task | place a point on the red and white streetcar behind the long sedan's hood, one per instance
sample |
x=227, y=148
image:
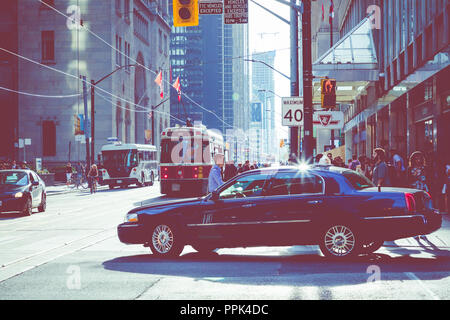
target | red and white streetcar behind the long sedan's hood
x=187, y=156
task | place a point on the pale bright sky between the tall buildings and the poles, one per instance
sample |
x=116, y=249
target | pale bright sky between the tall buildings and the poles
x=268, y=33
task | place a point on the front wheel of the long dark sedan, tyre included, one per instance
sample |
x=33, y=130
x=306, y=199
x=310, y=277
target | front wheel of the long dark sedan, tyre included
x=166, y=241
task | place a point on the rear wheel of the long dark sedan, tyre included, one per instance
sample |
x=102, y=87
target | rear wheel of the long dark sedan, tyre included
x=339, y=241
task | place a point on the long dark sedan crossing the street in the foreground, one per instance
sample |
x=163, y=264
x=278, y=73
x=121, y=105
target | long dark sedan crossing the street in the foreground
x=335, y=208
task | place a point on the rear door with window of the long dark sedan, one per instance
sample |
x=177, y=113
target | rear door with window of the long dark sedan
x=293, y=200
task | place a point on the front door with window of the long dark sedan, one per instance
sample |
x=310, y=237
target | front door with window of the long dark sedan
x=234, y=216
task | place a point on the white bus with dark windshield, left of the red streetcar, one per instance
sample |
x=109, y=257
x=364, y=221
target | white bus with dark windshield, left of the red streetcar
x=127, y=164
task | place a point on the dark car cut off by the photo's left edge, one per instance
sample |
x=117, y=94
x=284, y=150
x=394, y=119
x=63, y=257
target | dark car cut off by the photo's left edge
x=21, y=190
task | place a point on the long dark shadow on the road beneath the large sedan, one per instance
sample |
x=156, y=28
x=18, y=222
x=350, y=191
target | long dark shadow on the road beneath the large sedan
x=238, y=267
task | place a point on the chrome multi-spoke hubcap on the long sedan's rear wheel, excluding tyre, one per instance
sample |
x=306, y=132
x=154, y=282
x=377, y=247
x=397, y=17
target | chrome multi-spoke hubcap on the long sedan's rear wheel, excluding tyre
x=339, y=240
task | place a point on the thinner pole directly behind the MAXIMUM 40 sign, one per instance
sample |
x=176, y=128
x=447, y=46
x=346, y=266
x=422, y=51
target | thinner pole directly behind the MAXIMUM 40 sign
x=294, y=131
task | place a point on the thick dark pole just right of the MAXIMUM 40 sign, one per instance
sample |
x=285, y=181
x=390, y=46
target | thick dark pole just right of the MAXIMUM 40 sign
x=307, y=82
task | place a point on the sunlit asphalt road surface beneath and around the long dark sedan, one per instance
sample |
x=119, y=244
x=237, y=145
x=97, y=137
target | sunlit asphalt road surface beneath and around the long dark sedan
x=72, y=252
